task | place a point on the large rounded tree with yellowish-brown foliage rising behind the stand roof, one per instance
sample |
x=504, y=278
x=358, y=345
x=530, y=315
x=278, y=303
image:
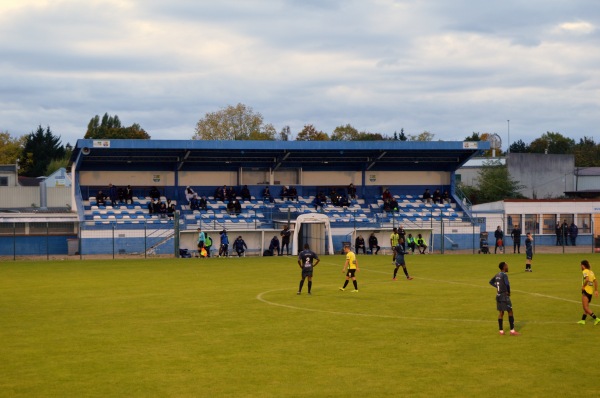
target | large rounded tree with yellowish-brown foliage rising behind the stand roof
x=238, y=122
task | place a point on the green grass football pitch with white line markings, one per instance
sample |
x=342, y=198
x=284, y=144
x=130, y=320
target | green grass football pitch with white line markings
x=235, y=327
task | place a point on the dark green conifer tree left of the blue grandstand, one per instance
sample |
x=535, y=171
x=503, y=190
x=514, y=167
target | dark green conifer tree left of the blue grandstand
x=41, y=147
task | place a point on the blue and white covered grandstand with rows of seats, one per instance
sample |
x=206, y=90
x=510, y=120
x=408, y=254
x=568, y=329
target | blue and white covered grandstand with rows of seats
x=405, y=168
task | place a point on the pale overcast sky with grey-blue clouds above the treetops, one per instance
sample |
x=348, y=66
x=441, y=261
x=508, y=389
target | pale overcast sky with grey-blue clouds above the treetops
x=450, y=67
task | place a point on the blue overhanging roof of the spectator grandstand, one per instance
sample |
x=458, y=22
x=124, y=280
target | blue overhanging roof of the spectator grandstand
x=196, y=155
